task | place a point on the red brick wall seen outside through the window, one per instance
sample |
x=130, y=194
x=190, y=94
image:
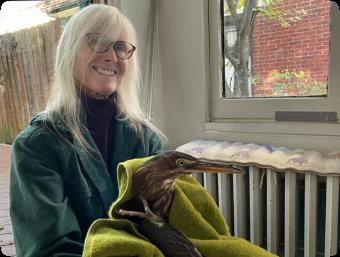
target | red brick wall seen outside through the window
x=304, y=46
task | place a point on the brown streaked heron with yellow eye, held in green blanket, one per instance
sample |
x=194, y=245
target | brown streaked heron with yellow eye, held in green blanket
x=153, y=185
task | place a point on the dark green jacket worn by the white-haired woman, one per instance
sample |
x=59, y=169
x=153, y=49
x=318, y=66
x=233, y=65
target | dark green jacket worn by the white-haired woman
x=58, y=190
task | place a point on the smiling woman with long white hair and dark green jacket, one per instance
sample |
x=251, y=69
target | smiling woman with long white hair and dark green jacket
x=63, y=174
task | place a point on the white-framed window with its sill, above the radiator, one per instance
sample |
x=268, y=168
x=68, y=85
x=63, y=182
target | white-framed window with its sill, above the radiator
x=270, y=67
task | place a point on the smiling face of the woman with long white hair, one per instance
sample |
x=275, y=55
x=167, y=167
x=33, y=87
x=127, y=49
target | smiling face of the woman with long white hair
x=99, y=74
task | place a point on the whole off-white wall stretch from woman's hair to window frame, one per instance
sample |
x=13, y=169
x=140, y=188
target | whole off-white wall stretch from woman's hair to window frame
x=179, y=72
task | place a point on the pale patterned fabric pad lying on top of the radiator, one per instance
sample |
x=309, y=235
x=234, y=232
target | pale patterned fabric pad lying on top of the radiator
x=265, y=156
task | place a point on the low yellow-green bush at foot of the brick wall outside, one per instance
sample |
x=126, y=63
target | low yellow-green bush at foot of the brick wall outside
x=296, y=83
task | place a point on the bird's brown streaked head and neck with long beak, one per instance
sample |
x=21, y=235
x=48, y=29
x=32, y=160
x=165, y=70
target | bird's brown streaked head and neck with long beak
x=153, y=181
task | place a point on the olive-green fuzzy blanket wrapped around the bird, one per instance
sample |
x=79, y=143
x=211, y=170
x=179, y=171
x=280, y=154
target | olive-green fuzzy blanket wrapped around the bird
x=193, y=212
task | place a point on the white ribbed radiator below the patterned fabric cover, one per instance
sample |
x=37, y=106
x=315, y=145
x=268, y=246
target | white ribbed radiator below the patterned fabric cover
x=287, y=213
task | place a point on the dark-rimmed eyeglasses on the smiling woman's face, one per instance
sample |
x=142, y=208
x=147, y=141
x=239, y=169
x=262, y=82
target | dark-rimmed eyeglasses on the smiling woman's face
x=101, y=44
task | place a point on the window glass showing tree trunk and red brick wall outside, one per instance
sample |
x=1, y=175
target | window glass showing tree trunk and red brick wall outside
x=276, y=48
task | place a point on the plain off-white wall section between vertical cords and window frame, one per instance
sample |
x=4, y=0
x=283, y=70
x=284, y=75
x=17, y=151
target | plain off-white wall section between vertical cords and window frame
x=184, y=59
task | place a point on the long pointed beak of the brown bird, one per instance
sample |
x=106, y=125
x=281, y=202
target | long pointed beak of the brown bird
x=201, y=166
